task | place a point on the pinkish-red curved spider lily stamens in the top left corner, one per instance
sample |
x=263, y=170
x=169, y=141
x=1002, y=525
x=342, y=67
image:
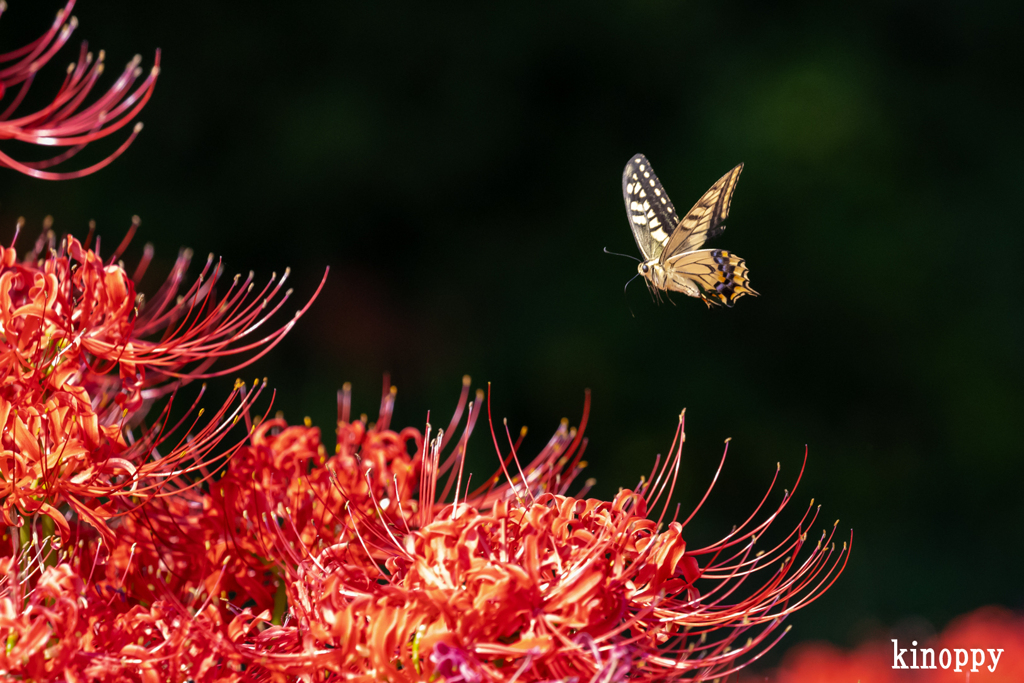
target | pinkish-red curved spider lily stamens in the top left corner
x=68, y=121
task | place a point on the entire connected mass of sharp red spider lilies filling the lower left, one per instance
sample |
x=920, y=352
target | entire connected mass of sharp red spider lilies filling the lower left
x=133, y=560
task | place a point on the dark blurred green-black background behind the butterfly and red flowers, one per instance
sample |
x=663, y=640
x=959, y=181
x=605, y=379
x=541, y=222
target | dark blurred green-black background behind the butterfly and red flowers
x=459, y=170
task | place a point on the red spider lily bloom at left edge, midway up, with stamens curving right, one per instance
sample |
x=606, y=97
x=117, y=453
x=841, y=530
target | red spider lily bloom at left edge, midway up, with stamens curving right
x=80, y=364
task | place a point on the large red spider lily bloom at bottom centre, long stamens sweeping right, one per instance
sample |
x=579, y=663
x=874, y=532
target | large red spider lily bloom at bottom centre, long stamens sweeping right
x=519, y=581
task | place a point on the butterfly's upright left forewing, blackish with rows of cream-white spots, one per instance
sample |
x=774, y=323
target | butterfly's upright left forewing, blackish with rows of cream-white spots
x=652, y=216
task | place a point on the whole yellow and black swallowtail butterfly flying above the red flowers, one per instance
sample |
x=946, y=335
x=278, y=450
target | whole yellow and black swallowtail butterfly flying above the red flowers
x=671, y=246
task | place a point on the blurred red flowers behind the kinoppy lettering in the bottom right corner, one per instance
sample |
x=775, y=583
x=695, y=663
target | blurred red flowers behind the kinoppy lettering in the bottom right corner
x=988, y=628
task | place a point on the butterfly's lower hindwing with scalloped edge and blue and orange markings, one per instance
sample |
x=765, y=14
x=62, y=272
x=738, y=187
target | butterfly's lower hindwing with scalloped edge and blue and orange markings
x=720, y=277
